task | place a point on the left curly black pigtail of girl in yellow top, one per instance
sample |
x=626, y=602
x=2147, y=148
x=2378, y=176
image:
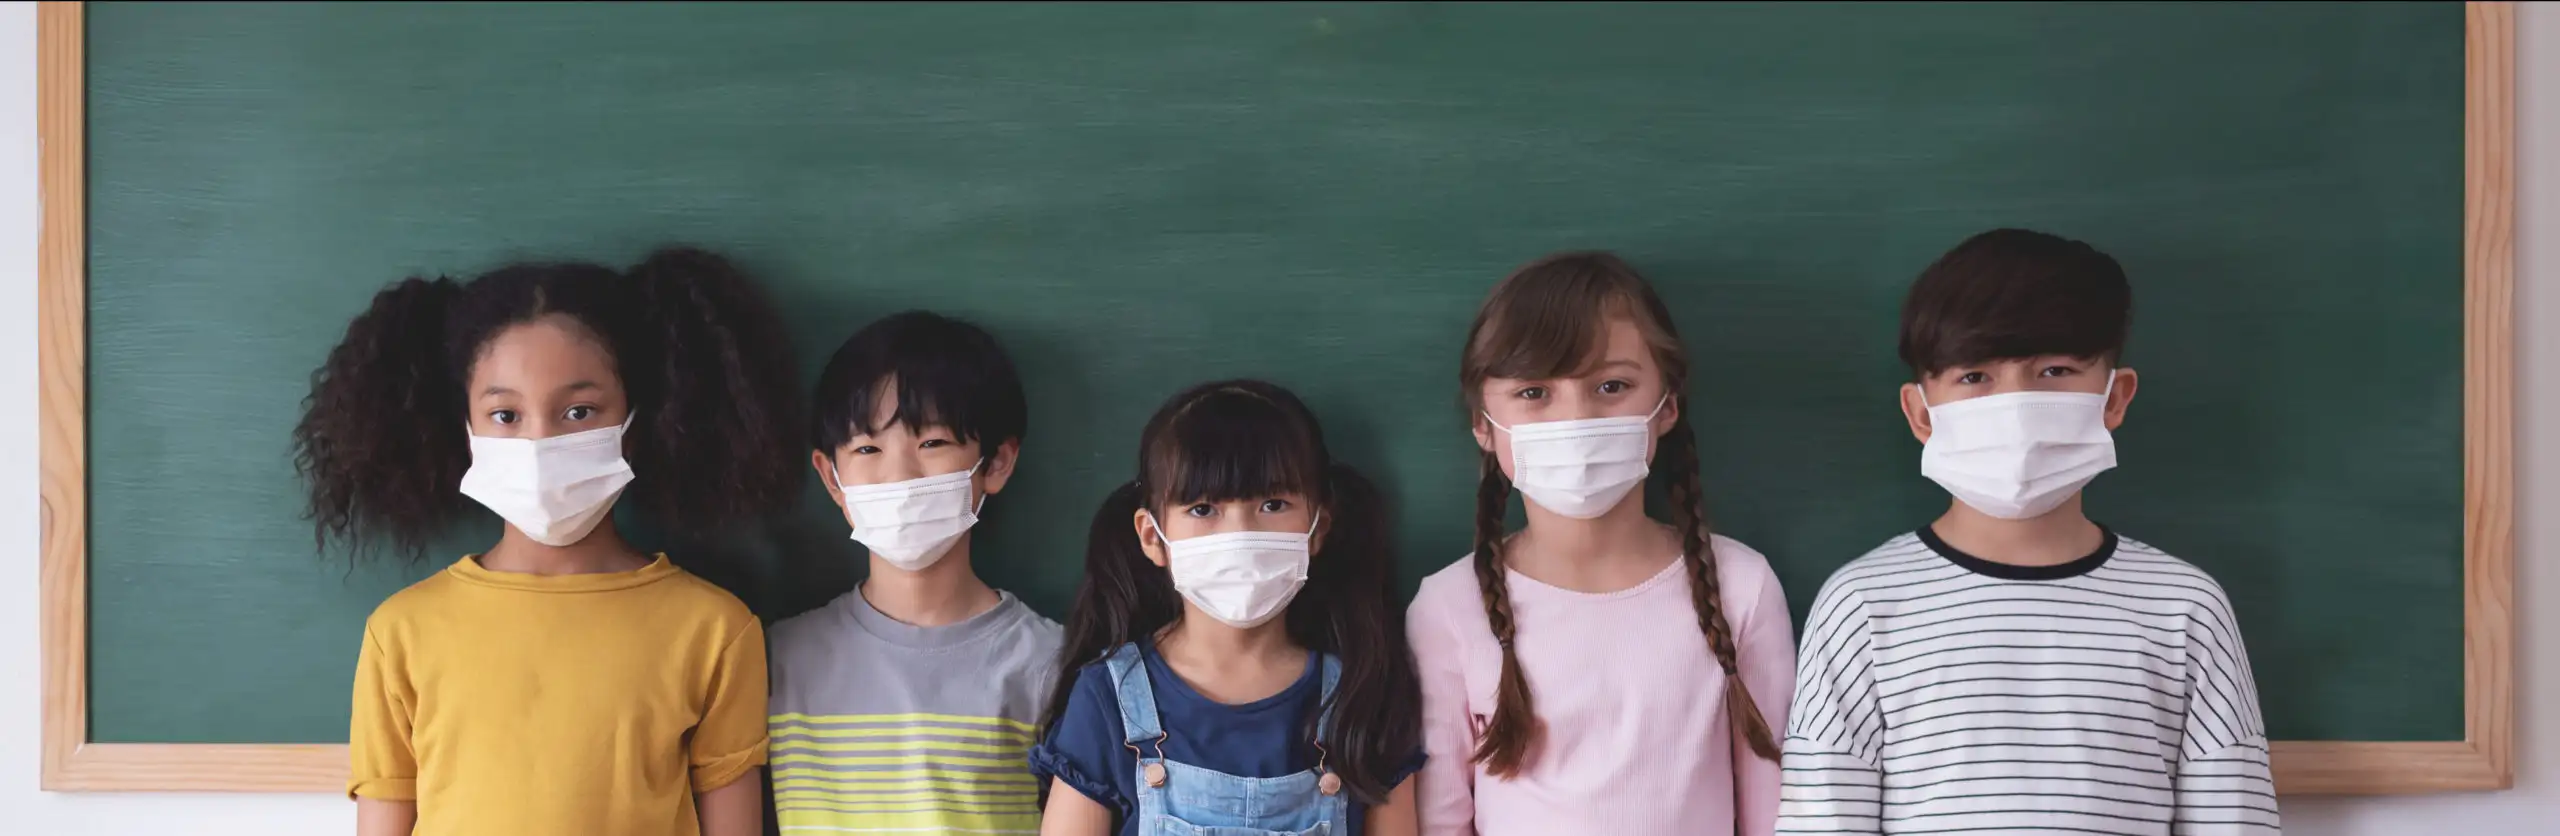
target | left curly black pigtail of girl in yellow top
x=383, y=444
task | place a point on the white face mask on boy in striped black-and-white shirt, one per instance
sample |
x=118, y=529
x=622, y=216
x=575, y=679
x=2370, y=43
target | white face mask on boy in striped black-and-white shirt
x=2019, y=454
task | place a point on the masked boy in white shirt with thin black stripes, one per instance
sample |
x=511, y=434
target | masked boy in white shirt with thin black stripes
x=2016, y=669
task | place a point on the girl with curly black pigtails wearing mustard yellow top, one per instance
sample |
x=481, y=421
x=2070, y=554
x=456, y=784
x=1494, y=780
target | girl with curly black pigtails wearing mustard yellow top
x=562, y=681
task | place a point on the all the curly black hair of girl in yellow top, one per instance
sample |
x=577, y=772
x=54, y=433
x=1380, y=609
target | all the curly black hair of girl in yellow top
x=383, y=444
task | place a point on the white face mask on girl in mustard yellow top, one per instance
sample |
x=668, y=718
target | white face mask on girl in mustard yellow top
x=554, y=490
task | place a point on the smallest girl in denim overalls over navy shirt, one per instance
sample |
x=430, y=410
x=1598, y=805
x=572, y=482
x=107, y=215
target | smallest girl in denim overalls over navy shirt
x=1215, y=694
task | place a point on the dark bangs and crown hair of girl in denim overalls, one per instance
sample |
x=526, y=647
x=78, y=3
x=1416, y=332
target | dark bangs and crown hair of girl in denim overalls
x=1233, y=446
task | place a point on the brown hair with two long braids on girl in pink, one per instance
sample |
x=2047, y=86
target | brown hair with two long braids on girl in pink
x=1550, y=321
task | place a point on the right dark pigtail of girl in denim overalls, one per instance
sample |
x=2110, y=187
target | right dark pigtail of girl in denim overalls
x=1348, y=612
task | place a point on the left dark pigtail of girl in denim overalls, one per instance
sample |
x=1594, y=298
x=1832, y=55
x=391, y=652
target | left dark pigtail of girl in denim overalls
x=1120, y=600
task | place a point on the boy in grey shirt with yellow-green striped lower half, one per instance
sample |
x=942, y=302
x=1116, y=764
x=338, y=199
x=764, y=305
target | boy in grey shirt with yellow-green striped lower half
x=908, y=704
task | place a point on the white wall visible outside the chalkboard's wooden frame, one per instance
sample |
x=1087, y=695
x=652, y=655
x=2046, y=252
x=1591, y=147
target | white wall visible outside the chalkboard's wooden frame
x=2533, y=807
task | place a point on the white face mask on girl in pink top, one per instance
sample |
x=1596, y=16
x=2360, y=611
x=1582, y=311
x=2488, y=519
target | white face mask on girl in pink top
x=1581, y=469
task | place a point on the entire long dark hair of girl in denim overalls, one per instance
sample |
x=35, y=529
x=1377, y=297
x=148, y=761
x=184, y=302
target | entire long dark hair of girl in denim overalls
x=1243, y=441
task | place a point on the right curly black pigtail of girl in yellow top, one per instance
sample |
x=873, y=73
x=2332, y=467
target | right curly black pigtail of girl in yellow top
x=721, y=395
